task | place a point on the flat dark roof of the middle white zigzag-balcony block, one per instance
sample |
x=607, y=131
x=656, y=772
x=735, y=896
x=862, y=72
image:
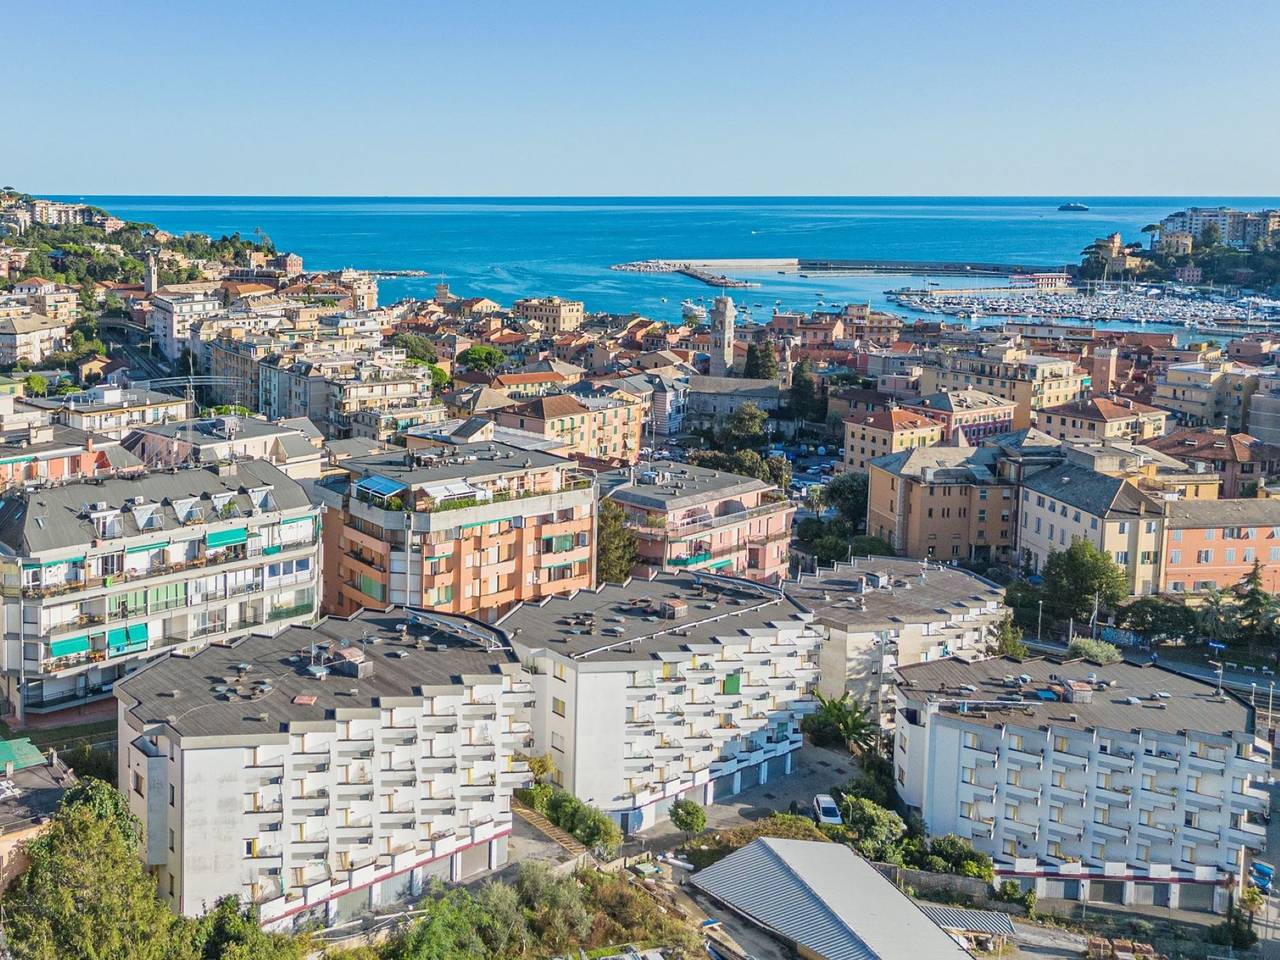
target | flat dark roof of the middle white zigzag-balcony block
x=628, y=623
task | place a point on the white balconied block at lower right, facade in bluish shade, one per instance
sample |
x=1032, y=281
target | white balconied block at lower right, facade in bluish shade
x=1117, y=784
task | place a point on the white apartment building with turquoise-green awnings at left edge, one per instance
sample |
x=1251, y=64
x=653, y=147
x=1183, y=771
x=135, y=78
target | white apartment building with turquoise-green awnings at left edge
x=109, y=574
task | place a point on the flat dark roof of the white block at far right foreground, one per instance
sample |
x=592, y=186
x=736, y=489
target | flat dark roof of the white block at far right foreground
x=1133, y=697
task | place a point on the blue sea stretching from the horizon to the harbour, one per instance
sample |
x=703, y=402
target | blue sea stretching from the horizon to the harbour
x=514, y=248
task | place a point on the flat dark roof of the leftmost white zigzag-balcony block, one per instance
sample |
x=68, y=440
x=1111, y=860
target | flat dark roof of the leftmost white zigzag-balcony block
x=225, y=691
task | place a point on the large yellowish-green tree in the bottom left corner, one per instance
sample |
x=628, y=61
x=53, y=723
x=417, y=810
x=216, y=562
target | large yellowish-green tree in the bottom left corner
x=86, y=895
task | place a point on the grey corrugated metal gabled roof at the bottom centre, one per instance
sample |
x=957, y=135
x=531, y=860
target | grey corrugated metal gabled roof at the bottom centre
x=828, y=899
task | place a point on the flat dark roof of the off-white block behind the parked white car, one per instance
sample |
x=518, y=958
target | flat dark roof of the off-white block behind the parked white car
x=908, y=592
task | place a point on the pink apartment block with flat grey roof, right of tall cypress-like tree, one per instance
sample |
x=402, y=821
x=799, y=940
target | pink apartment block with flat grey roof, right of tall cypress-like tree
x=691, y=518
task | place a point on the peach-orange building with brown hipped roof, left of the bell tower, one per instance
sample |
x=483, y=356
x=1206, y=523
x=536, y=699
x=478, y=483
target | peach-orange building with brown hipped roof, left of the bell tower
x=601, y=427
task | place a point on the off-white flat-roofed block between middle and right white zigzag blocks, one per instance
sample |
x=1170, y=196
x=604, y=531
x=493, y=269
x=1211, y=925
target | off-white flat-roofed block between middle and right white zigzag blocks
x=879, y=612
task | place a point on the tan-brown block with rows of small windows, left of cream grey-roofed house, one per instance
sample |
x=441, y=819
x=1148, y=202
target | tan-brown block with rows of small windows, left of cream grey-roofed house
x=943, y=504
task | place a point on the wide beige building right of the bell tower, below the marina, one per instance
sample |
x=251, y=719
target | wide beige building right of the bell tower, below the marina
x=1009, y=372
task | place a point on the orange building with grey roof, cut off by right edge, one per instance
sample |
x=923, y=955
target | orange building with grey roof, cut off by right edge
x=1213, y=545
